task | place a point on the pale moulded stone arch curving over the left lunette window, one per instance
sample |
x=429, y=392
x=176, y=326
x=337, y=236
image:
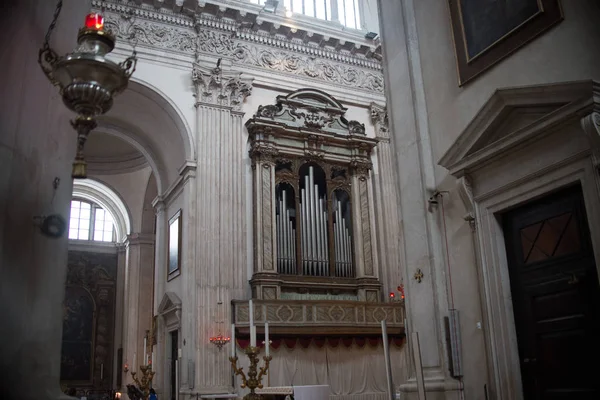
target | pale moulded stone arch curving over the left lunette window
x=94, y=191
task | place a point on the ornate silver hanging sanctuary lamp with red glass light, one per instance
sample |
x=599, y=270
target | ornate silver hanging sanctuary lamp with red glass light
x=87, y=80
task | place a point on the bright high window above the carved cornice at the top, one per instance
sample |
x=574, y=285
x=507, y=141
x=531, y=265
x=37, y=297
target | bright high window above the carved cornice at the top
x=345, y=11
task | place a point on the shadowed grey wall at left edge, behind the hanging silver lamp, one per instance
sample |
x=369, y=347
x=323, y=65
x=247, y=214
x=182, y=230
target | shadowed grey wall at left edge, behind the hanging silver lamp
x=37, y=145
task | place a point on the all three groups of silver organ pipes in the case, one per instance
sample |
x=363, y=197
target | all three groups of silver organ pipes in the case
x=313, y=218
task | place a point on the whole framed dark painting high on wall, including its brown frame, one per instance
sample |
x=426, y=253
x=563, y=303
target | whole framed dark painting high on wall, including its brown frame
x=486, y=31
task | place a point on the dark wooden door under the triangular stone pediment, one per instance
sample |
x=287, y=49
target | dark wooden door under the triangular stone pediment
x=556, y=297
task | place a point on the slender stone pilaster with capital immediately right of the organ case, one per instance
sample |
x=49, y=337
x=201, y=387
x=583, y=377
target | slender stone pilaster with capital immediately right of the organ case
x=386, y=205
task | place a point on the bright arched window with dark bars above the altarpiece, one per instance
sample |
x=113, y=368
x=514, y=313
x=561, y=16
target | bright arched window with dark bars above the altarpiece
x=89, y=221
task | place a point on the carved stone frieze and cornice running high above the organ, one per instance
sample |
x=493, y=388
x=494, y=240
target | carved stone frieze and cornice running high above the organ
x=272, y=51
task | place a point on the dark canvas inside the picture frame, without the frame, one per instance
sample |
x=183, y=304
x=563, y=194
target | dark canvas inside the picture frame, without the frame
x=487, y=21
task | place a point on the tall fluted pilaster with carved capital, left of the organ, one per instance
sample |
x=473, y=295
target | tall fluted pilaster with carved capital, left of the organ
x=221, y=229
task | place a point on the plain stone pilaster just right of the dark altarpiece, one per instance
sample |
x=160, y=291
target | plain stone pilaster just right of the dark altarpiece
x=138, y=310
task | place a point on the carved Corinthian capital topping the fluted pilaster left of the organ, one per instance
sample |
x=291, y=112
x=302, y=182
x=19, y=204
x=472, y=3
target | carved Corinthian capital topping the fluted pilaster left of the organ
x=218, y=87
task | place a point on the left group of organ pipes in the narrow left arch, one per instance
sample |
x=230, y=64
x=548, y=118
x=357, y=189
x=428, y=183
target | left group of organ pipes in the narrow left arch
x=286, y=236
